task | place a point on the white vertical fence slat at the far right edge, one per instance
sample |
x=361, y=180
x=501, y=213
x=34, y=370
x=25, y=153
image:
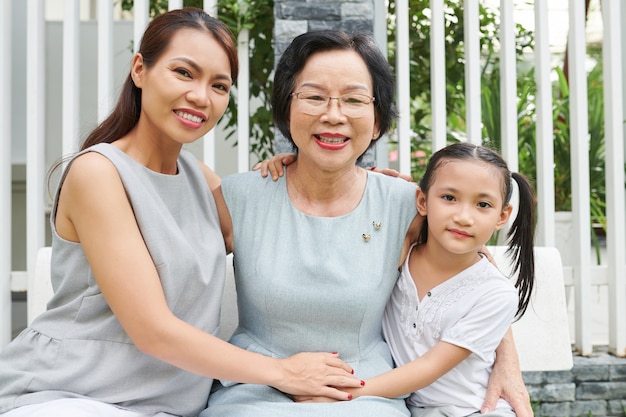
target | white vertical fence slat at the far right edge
x=614, y=132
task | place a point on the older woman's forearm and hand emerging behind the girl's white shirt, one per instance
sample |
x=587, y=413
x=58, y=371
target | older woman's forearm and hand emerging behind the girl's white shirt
x=506, y=380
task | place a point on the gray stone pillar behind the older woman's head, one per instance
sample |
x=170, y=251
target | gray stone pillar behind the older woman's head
x=294, y=17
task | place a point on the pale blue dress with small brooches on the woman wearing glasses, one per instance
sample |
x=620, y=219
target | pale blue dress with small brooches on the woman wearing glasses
x=307, y=283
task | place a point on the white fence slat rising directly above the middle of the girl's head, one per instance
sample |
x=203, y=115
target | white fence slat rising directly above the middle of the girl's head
x=472, y=71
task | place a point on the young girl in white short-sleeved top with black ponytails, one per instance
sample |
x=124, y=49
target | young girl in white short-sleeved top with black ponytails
x=451, y=306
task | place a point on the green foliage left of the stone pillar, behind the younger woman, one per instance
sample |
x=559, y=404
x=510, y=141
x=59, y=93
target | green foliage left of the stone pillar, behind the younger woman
x=253, y=16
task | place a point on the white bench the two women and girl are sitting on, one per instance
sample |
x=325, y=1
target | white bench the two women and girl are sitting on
x=541, y=336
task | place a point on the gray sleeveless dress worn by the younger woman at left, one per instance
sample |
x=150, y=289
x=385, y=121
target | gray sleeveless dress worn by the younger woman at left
x=77, y=348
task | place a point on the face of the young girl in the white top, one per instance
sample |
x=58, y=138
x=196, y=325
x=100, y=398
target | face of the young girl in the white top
x=464, y=206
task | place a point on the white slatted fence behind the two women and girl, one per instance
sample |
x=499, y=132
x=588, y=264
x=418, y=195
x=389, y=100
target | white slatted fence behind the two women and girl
x=581, y=275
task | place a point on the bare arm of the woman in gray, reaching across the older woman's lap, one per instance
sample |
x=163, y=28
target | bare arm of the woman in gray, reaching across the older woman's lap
x=94, y=210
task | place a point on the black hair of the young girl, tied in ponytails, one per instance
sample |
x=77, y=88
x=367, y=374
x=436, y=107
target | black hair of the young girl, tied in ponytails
x=521, y=235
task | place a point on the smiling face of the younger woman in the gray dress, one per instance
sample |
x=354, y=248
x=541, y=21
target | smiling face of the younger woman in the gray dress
x=186, y=91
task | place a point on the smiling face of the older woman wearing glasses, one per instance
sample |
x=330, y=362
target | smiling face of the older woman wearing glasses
x=331, y=139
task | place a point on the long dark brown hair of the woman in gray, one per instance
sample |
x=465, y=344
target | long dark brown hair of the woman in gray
x=154, y=42
